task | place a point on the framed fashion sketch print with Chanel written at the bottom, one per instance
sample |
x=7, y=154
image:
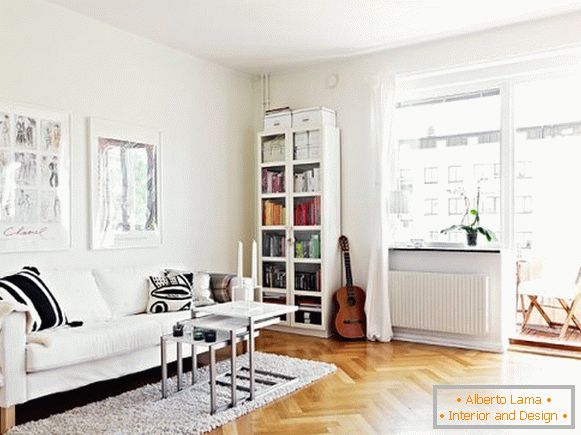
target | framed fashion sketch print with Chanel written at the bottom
x=34, y=179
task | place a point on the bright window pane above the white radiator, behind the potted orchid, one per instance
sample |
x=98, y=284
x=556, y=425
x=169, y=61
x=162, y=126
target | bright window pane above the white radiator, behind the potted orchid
x=446, y=136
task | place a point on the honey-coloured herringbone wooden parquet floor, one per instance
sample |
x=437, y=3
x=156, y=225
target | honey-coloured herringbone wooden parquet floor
x=386, y=388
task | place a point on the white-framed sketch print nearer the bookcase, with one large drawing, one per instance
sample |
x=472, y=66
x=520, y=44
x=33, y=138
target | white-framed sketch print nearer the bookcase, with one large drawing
x=125, y=185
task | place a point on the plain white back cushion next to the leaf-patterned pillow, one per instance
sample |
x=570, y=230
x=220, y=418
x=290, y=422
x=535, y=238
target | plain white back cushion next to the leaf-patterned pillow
x=126, y=289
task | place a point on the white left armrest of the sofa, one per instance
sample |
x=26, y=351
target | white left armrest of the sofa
x=13, y=359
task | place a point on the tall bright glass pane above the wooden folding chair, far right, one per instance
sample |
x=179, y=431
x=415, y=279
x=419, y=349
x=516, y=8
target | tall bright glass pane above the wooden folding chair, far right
x=547, y=149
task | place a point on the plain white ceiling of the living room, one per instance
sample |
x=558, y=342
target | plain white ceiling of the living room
x=268, y=35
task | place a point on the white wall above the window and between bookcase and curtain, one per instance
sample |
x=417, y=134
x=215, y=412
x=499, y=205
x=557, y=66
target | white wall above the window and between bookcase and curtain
x=351, y=99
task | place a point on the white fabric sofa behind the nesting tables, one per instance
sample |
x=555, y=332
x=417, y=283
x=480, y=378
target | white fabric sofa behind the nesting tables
x=116, y=339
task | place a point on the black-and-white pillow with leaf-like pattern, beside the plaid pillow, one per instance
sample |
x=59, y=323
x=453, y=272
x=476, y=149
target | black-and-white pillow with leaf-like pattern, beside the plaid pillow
x=169, y=294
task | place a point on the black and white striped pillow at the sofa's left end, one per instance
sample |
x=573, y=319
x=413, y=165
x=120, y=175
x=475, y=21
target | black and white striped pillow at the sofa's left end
x=26, y=287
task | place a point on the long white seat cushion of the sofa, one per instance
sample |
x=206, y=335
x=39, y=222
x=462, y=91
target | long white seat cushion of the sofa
x=68, y=346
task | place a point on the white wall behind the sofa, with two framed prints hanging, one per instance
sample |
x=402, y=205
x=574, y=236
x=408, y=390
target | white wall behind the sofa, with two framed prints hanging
x=57, y=59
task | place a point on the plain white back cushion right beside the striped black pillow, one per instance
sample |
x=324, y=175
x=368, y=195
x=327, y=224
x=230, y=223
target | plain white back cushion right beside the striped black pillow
x=77, y=293
